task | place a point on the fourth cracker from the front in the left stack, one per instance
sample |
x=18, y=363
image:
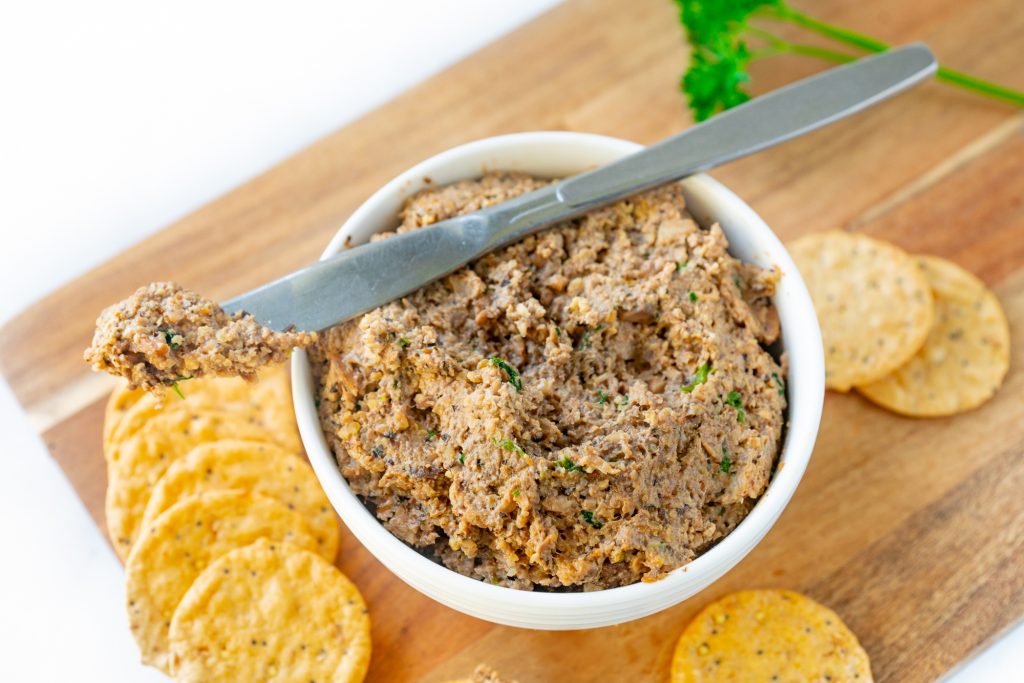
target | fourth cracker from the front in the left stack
x=136, y=465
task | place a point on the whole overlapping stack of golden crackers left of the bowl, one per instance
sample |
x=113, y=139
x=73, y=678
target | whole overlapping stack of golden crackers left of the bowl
x=228, y=538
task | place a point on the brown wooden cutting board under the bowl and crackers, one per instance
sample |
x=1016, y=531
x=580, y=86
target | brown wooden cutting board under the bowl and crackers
x=913, y=530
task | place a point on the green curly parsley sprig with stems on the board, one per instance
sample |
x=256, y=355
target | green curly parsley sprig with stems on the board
x=720, y=32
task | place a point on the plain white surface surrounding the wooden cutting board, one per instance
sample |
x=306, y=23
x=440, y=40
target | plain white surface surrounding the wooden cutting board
x=118, y=118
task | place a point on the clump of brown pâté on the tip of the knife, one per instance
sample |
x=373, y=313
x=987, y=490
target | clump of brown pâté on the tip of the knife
x=163, y=334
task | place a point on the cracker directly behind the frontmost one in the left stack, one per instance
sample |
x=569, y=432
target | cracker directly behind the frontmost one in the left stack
x=181, y=543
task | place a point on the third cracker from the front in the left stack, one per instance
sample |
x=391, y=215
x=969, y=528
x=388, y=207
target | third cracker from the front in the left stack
x=261, y=468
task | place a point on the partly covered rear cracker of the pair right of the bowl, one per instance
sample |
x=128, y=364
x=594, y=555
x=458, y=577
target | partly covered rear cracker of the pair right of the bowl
x=965, y=358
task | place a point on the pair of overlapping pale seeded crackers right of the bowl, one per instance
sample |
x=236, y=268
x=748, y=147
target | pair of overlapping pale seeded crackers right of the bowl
x=918, y=335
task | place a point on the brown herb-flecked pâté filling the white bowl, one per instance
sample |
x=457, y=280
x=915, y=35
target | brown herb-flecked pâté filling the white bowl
x=589, y=408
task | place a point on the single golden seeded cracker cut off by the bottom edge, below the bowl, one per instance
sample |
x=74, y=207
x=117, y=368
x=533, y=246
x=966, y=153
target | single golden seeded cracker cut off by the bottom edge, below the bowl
x=755, y=635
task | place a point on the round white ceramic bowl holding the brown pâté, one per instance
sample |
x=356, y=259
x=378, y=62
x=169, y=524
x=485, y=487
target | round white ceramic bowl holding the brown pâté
x=560, y=154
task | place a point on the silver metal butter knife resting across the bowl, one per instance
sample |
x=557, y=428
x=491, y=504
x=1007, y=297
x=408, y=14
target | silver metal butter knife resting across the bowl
x=359, y=280
